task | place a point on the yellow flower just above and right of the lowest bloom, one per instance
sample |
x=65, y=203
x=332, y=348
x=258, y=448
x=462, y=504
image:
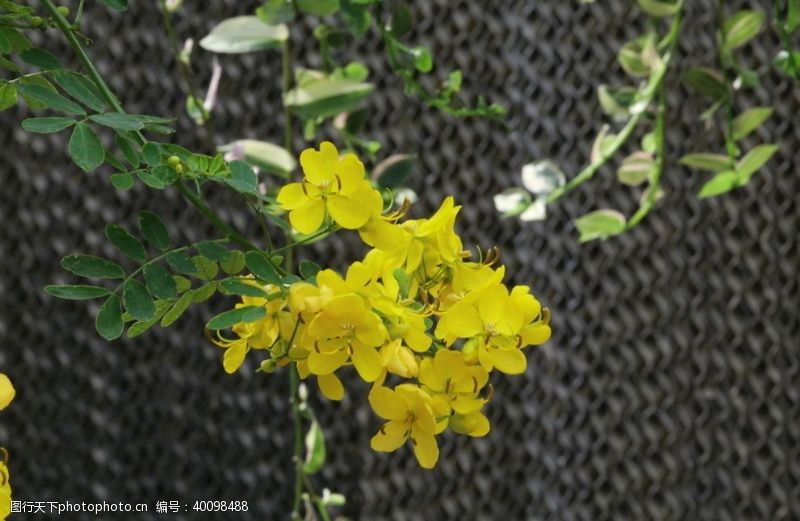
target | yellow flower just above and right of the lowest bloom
x=448, y=375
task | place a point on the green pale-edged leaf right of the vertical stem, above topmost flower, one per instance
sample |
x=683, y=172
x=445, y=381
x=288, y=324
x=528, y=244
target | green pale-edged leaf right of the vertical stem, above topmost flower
x=326, y=98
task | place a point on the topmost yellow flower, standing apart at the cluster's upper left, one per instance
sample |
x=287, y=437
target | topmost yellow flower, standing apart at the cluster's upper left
x=332, y=185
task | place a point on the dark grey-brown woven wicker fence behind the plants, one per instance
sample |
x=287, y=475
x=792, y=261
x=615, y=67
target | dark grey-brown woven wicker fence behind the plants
x=671, y=387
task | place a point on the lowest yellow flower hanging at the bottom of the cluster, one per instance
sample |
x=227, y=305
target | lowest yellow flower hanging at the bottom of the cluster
x=411, y=414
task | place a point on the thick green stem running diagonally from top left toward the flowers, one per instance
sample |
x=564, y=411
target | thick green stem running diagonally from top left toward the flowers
x=65, y=27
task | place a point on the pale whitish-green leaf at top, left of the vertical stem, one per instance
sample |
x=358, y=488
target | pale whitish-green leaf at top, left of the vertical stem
x=244, y=34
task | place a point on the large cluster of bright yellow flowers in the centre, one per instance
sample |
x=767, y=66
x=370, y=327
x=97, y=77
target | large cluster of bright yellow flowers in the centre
x=416, y=317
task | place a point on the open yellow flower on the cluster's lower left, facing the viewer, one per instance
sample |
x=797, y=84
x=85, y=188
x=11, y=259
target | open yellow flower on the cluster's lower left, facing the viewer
x=345, y=329
